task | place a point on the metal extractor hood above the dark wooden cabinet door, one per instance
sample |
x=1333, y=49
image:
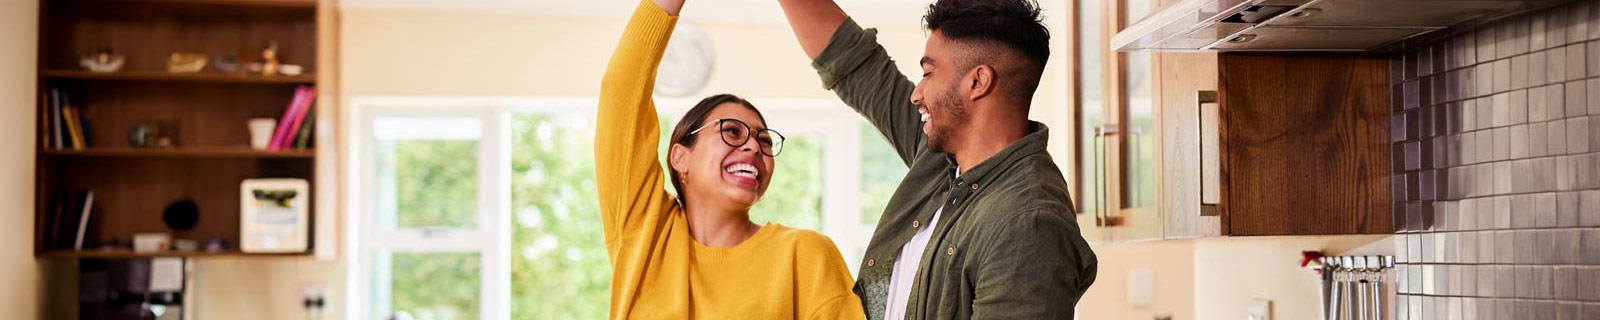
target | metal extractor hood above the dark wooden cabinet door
x=1306, y=25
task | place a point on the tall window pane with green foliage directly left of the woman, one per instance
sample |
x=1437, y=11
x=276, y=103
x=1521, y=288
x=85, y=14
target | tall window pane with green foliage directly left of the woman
x=559, y=260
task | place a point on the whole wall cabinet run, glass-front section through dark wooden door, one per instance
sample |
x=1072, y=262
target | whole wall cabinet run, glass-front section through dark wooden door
x=1207, y=145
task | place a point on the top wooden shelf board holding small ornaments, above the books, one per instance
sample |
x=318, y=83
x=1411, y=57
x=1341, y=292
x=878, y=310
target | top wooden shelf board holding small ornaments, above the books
x=143, y=76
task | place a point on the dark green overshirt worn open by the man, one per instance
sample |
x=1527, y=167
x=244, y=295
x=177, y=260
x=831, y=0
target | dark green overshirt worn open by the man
x=1007, y=244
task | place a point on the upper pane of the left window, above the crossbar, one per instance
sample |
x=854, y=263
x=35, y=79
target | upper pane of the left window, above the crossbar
x=428, y=172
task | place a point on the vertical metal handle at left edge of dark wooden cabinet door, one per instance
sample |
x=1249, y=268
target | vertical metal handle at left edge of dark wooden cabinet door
x=1209, y=118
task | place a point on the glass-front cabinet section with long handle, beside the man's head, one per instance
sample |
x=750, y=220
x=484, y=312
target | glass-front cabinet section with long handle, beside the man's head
x=1119, y=145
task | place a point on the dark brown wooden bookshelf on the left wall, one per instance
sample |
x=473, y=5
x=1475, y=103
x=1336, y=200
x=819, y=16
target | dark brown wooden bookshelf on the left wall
x=204, y=114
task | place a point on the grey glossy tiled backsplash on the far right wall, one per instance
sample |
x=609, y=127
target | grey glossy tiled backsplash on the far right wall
x=1497, y=142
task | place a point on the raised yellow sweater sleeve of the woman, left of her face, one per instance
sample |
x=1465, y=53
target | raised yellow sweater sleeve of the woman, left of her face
x=630, y=180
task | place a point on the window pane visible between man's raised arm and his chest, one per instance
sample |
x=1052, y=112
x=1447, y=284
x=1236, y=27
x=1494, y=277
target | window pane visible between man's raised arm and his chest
x=882, y=170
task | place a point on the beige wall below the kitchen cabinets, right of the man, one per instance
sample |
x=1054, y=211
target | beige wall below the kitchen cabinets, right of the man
x=1217, y=279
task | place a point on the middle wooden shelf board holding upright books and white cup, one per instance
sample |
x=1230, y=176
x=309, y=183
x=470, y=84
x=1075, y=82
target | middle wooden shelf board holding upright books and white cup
x=183, y=153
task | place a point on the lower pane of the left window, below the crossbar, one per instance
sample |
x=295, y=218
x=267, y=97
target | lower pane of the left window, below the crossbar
x=436, y=286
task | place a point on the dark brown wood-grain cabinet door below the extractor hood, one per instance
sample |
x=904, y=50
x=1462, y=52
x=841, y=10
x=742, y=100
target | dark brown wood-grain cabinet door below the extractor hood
x=1305, y=145
